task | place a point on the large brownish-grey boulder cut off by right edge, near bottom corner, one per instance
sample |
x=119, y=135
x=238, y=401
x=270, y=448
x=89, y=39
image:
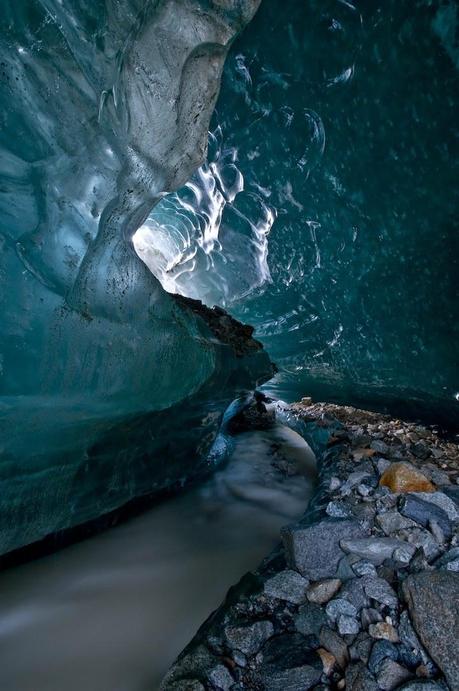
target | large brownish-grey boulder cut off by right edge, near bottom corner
x=433, y=602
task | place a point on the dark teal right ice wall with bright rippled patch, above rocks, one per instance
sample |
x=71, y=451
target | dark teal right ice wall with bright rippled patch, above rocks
x=338, y=120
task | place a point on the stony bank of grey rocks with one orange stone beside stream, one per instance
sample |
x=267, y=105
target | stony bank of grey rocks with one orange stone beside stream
x=363, y=592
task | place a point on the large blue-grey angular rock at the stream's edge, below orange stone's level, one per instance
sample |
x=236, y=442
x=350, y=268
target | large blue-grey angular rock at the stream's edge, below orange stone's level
x=315, y=550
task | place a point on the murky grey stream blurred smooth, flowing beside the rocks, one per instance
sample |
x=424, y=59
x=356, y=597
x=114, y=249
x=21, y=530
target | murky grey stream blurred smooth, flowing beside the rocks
x=112, y=613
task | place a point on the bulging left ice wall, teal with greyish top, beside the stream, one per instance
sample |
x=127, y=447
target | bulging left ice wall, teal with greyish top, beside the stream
x=109, y=388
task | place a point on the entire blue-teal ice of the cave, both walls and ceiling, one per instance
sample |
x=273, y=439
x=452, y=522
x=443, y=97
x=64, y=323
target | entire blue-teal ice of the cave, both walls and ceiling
x=324, y=212
